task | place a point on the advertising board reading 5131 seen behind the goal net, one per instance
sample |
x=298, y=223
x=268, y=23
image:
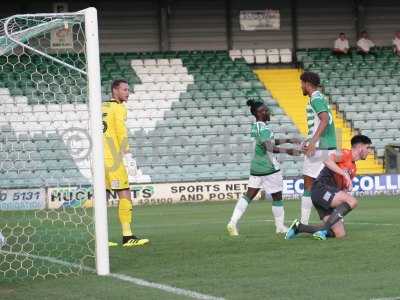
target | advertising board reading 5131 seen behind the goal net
x=22, y=199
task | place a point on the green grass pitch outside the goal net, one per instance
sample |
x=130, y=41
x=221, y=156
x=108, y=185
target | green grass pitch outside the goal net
x=190, y=249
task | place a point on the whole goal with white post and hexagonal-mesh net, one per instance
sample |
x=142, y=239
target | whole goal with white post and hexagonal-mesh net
x=51, y=141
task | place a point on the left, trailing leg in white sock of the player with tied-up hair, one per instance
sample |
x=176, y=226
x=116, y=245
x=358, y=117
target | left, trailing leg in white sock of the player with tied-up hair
x=242, y=204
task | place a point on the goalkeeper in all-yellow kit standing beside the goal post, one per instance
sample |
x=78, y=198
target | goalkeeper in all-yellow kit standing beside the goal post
x=118, y=160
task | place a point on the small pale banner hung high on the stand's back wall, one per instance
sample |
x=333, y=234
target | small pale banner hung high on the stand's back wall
x=251, y=20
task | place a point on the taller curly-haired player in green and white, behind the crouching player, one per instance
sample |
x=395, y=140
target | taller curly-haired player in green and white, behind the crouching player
x=321, y=140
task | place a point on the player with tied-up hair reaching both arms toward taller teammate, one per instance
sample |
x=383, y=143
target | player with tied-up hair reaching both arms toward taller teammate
x=264, y=169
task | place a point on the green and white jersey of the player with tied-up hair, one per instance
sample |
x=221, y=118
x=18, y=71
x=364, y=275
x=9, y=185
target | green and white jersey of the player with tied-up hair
x=263, y=162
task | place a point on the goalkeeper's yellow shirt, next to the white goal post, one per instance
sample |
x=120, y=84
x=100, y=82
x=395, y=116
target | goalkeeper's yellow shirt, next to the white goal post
x=115, y=133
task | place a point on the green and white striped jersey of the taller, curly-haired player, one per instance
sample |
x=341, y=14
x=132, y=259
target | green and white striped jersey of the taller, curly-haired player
x=316, y=105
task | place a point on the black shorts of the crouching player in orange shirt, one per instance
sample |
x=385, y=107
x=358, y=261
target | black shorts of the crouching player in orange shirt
x=322, y=196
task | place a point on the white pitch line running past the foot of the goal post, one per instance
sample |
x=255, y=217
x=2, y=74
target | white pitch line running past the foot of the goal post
x=123, y=277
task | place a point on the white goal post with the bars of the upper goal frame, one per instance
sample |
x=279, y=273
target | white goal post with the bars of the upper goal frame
x=13, y=36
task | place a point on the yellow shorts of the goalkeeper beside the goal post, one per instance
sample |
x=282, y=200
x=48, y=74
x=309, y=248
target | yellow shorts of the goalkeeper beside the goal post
x=116, y=175
